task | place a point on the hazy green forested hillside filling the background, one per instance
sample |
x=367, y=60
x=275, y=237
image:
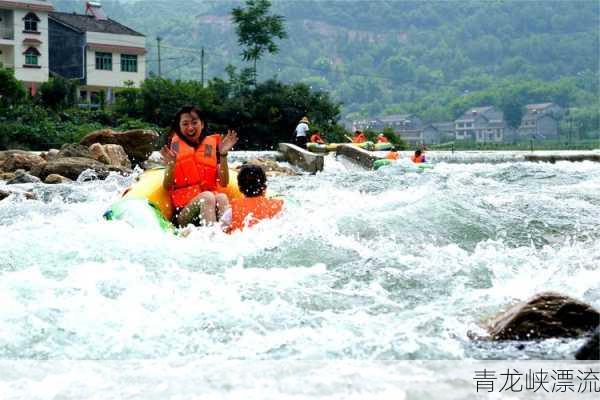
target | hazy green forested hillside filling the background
x=388, y=56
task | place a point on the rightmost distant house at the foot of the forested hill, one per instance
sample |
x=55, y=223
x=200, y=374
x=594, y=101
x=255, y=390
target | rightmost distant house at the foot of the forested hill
x=541, y=121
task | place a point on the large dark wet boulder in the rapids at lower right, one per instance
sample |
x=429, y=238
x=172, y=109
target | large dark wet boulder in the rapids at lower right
x=544, y=316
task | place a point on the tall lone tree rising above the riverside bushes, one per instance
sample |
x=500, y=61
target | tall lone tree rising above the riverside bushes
x=256, y=30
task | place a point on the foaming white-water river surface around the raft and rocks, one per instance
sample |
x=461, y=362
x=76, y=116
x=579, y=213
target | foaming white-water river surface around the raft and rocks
x=362, y=266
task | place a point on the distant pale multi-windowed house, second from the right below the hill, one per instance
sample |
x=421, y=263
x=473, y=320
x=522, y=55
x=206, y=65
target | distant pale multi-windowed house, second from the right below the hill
x=481, y=124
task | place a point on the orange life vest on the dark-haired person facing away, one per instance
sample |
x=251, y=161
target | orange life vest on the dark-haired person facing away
x=251, y=210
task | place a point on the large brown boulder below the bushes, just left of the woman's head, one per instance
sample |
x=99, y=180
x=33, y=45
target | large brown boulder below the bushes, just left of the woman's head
x=137, y=143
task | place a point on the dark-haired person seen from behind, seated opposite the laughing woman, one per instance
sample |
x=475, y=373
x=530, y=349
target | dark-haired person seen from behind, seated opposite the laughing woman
x=252, y=182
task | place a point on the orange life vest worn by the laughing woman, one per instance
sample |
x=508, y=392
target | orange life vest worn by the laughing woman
x=195, y=171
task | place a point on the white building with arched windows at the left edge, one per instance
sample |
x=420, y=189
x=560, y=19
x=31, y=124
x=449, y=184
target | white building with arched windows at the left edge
x=24, y=40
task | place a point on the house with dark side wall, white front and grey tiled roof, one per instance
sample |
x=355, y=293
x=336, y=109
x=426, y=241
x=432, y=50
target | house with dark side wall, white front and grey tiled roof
x=98, y=51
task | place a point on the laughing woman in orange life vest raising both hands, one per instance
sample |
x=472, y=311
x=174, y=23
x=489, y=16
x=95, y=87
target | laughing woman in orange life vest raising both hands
x=196, y=162
